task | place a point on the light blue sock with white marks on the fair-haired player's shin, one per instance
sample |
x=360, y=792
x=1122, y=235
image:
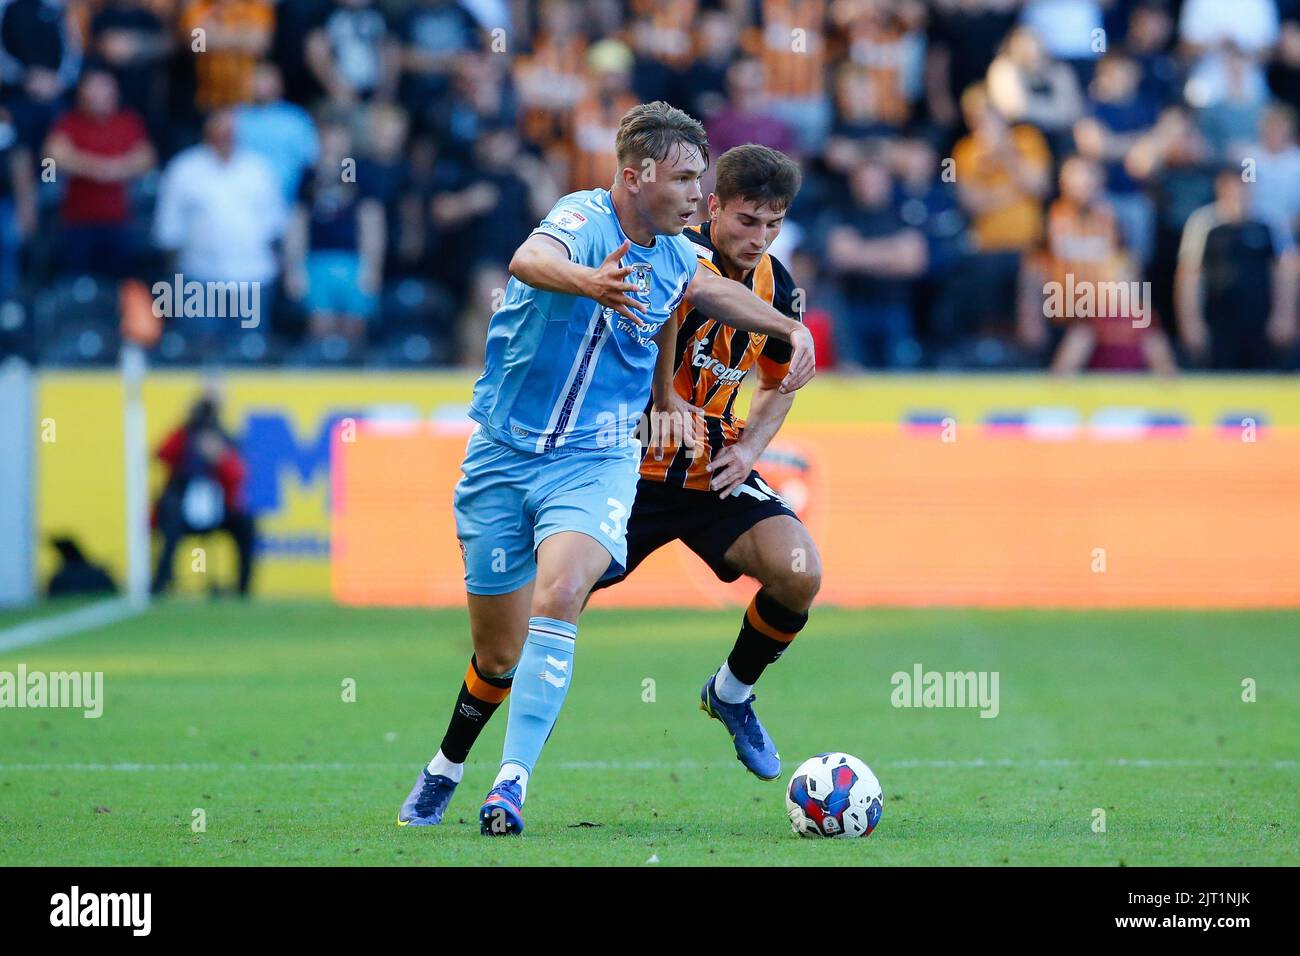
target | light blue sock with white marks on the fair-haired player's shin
x=541, y=684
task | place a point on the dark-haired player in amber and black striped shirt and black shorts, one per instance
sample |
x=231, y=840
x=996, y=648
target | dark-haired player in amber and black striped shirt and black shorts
x=705, y=492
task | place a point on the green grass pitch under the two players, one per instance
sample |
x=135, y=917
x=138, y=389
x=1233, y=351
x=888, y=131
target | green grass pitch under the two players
x=239, y=711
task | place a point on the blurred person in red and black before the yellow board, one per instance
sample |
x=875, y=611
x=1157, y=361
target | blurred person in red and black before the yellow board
x=203, y=492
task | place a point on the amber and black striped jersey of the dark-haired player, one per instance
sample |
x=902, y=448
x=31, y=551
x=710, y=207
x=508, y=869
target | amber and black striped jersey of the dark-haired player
x=713, y=360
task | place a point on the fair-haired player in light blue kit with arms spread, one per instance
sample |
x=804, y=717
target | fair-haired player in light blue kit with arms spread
x=548, y=485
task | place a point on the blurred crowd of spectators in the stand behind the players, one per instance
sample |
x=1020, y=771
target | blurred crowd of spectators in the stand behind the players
x=366, y=170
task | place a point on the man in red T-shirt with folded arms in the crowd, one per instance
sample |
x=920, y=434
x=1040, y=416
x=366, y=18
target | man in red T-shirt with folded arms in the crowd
x=98, y=149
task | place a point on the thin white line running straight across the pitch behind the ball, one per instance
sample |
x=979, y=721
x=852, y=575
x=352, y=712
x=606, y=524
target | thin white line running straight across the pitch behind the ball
x=665, y=765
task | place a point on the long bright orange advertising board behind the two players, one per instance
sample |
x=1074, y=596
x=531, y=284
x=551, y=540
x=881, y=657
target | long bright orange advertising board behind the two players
x=1198, y=518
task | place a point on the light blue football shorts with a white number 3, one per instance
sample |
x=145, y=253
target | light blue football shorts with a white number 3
x=509, y=501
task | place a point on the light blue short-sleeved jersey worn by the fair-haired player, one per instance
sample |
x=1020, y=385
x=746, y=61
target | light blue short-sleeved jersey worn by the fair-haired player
x=562, y=371
